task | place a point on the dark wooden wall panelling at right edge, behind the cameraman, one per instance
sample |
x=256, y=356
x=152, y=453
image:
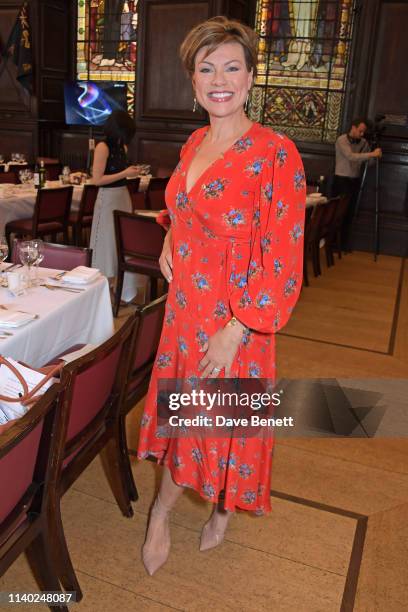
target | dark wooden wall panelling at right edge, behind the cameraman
x=380, y=83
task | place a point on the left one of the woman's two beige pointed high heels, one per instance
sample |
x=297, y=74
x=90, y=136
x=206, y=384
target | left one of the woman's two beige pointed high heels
x=155, y=556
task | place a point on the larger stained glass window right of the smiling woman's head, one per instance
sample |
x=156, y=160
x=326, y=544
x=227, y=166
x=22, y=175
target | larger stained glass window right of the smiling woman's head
x=303, y=56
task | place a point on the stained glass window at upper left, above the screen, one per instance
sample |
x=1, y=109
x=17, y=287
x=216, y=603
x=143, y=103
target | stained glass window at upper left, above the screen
x=107, y=42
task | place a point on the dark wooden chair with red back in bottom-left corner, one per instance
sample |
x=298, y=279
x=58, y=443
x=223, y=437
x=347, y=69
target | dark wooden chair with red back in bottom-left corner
x=28, y=464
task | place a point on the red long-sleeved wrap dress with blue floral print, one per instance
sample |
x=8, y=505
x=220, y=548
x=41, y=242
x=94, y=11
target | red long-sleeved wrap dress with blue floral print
x=237, y=250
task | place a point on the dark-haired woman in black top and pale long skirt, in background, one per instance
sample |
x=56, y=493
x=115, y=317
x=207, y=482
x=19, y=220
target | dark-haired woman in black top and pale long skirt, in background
x=110, y=171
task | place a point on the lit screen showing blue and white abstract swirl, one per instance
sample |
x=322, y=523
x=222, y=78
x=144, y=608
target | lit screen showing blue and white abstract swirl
x=90, y=103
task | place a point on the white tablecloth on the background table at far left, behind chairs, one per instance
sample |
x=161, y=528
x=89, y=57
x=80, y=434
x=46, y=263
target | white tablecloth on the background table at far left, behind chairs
x=17, y=201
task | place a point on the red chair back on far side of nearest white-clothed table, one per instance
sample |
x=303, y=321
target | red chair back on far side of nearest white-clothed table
x=59, y=256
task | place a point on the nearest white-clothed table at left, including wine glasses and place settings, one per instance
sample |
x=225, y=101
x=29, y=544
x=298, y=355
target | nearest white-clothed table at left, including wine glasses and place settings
x=46, y=311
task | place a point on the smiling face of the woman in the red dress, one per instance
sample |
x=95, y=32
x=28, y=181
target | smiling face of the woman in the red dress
x=221, y=80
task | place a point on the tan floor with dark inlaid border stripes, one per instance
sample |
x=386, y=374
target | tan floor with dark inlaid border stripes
x=305, y=555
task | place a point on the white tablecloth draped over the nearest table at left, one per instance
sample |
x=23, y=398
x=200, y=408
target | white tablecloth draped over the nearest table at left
x=64, y=319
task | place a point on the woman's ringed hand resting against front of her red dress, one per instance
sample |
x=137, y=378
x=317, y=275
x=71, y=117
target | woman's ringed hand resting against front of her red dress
x=220, y=350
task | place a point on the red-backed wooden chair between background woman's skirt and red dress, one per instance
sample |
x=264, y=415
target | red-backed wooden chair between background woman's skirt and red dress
x=139, y=243
